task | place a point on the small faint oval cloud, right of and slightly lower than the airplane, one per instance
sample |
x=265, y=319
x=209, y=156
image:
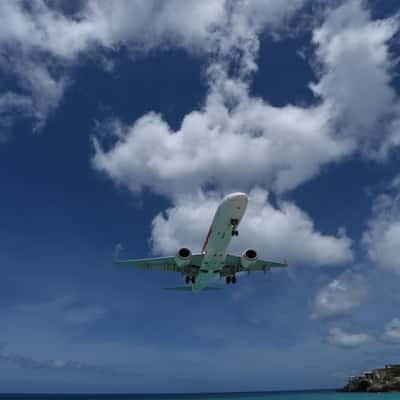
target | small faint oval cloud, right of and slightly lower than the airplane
x=340, y=297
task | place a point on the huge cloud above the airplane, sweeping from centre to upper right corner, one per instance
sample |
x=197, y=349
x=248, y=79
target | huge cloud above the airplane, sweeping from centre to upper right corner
x=275, y=142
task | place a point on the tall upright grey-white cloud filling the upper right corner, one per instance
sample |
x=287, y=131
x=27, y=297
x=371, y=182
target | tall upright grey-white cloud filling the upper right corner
x=357, y=69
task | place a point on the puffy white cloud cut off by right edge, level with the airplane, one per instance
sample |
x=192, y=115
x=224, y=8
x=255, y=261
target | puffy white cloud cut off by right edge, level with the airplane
x=382, y=237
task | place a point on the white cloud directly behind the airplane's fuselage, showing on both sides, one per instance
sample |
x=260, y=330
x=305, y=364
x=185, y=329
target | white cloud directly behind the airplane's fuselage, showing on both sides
x=283, y=232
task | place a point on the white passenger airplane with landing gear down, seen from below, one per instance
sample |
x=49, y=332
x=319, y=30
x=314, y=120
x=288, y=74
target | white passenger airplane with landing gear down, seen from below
x=213, y=260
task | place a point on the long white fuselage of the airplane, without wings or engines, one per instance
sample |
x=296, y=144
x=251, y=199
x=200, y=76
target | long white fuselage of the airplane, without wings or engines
x=223, y=227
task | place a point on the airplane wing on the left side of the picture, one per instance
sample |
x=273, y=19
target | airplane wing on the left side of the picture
x=165, y=264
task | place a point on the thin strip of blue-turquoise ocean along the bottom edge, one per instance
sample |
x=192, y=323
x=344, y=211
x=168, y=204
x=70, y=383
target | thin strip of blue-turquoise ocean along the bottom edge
x=301, y=395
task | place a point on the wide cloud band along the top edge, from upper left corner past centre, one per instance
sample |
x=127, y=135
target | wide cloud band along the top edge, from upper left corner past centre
x=43, y=40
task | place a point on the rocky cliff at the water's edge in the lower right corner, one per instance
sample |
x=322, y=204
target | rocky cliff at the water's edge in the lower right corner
x=385, y=379
